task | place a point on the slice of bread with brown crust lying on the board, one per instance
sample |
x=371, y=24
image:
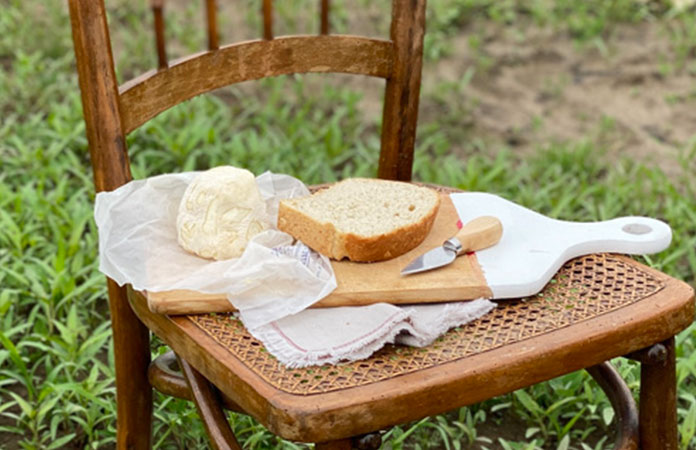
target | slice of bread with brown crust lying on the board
x=361, y=219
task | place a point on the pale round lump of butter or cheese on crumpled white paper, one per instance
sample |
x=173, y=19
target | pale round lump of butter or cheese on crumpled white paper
x=221, y=210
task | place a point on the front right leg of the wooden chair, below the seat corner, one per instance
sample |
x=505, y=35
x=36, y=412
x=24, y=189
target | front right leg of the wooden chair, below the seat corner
x=658, y=401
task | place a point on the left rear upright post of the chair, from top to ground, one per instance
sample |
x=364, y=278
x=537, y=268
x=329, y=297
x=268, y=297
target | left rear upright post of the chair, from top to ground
x=107, y=147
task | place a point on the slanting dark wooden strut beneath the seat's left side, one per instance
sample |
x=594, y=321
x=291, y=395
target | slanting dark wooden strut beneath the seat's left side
x=207, y=400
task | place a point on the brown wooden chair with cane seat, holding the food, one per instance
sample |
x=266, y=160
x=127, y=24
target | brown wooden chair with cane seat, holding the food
x=597, y=307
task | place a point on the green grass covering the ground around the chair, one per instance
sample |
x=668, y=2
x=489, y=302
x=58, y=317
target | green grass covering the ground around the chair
x=55, y=352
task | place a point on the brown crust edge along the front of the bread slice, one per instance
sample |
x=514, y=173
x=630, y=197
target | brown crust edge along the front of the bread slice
x=325, y=239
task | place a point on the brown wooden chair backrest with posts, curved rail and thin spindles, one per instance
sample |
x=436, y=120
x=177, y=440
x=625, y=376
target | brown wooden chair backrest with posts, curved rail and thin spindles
x=111, y=112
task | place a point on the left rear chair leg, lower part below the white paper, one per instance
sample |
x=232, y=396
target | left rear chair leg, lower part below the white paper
x=132, y=358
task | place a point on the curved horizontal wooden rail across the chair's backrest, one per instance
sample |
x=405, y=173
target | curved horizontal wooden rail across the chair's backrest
x=156, y=91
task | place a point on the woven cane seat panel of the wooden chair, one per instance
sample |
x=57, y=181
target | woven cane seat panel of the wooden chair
x=584, y=288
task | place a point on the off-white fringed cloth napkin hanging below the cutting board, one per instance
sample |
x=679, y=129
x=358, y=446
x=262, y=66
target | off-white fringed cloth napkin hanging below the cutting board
x=334, y=335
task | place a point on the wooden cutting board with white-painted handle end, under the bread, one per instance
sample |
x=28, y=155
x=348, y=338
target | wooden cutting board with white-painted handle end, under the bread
x=533, y=247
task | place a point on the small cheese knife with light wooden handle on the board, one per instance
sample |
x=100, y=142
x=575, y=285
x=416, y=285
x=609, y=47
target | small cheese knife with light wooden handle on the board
x=477, y=234
